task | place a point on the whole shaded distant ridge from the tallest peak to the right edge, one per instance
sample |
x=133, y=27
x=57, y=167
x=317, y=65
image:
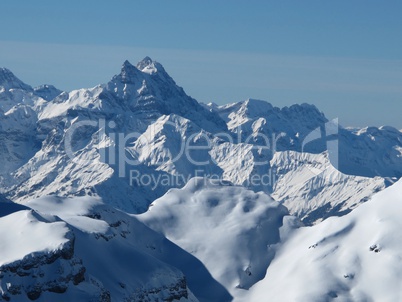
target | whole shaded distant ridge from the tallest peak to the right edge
x=369, y=151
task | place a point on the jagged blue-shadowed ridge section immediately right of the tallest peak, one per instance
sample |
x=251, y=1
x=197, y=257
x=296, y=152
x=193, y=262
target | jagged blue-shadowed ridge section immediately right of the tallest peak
x=255, y=120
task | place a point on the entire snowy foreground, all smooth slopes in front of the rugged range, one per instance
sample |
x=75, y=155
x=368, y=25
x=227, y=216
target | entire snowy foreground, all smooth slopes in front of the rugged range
x=83, y=250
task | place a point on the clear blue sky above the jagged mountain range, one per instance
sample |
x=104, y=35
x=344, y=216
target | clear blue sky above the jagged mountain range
x=343, y=56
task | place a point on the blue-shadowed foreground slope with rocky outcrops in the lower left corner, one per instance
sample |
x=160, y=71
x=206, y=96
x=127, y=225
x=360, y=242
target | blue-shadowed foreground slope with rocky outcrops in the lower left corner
x=80, y=249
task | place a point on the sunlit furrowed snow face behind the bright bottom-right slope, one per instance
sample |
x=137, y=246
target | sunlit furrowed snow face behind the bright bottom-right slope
x=313, y=190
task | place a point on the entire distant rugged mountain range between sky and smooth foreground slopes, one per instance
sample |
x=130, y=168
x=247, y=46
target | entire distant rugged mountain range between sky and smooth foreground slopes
x=144, y=102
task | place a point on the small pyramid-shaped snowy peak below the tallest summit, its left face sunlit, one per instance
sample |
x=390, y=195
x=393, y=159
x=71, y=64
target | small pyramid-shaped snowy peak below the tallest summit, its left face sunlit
x=165, y=146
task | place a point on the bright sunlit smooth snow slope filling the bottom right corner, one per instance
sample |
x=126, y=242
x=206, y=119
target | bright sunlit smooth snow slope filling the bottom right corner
x=357, y=257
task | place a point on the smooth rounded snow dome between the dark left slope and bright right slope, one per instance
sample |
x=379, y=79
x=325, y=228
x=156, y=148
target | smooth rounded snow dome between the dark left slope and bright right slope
x=233, y=231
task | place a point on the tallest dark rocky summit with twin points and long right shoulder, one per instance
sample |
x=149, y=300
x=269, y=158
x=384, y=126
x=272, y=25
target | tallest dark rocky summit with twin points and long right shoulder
x=148, y=91
